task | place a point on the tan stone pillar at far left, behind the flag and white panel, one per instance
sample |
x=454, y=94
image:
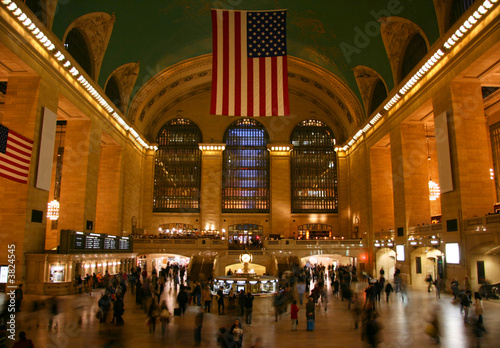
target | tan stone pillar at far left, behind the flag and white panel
x=21, y=202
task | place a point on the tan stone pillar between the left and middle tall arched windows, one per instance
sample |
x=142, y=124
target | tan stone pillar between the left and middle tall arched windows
x=211, y=186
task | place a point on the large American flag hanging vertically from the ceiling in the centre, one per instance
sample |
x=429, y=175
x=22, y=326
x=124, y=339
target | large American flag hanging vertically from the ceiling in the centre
x=249, y=75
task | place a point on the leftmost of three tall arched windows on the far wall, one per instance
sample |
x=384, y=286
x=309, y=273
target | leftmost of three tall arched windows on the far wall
x=178, y=168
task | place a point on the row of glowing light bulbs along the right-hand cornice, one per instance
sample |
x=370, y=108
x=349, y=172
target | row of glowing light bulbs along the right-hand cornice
x=467, y=25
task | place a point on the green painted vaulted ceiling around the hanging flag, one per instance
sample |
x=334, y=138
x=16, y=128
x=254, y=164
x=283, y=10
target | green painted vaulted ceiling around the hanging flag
x=159, y=34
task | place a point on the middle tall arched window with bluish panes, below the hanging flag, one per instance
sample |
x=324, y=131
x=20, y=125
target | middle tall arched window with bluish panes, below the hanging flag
x=245, y=180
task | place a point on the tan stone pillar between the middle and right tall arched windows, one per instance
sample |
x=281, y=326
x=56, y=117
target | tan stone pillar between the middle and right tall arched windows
x=280, y=184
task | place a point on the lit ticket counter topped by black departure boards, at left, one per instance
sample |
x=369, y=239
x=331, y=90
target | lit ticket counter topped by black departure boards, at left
x=79, y=253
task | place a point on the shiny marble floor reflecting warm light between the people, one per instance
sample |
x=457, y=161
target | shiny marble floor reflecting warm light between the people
x=403, y=323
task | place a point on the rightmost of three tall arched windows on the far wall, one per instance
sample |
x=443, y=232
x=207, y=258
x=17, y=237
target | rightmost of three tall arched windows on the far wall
x=313, y=168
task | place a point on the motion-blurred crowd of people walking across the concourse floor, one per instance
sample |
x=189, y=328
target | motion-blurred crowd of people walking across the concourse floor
x=305, y=292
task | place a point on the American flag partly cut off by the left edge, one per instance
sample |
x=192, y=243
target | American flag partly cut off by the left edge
x=15, y=155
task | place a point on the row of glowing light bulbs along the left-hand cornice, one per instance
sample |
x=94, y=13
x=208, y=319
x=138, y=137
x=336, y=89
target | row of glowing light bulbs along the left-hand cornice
x=28, y=23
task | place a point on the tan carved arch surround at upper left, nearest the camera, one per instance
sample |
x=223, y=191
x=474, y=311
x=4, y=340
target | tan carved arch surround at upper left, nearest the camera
x=96, y=28
